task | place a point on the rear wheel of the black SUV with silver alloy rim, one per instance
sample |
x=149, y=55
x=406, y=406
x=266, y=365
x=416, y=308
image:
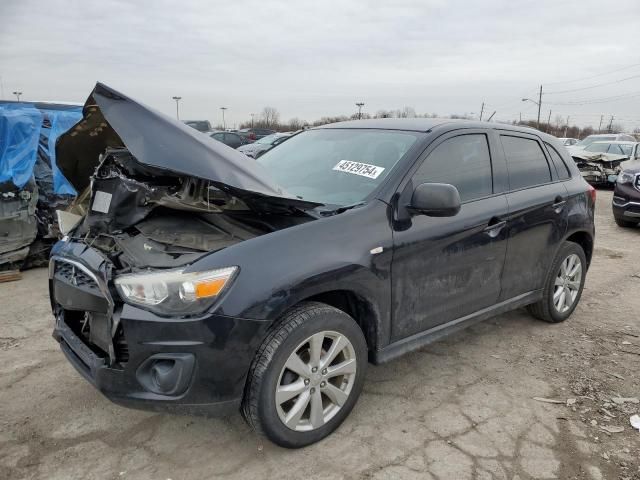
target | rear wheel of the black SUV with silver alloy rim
x=563, y=287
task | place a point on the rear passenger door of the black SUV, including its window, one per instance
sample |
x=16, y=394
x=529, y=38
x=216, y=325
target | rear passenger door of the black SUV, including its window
x=537, y=219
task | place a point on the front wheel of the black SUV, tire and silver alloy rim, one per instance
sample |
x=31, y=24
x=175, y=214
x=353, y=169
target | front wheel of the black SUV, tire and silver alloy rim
x=306, y=376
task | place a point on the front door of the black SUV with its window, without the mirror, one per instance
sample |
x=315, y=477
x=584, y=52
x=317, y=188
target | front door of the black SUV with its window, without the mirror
x=446, y=268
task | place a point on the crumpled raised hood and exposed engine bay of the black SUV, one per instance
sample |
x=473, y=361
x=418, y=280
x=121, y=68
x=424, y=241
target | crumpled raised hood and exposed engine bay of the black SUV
x=159, y=194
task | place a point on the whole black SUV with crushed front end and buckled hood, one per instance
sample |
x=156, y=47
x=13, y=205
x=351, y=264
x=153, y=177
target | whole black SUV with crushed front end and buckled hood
x=200, y=282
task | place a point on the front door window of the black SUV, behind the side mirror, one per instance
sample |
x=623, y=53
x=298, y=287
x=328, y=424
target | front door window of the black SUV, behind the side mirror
x=462, y=161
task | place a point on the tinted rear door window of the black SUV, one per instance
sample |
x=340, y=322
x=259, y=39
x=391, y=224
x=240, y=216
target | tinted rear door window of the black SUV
x=526, y=162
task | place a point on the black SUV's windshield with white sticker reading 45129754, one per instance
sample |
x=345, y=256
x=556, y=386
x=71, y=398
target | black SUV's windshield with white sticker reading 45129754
x=336, y=166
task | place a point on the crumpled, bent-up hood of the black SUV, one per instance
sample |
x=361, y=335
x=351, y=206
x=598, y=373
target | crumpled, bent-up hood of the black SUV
x=111, y=119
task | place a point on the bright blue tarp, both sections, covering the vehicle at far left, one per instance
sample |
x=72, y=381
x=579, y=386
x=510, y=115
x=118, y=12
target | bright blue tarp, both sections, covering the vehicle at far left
x=23, y=126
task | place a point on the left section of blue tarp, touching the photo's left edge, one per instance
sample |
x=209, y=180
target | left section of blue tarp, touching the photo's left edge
x=20, y=126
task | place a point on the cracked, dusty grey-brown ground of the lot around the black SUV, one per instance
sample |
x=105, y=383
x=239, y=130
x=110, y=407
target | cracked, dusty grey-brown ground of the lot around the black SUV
x=461, y=408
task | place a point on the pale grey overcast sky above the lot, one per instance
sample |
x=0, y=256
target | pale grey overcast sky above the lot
x=313, y=59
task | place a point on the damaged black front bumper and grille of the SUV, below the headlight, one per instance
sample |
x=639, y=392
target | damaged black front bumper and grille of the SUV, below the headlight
x=214, y=352
